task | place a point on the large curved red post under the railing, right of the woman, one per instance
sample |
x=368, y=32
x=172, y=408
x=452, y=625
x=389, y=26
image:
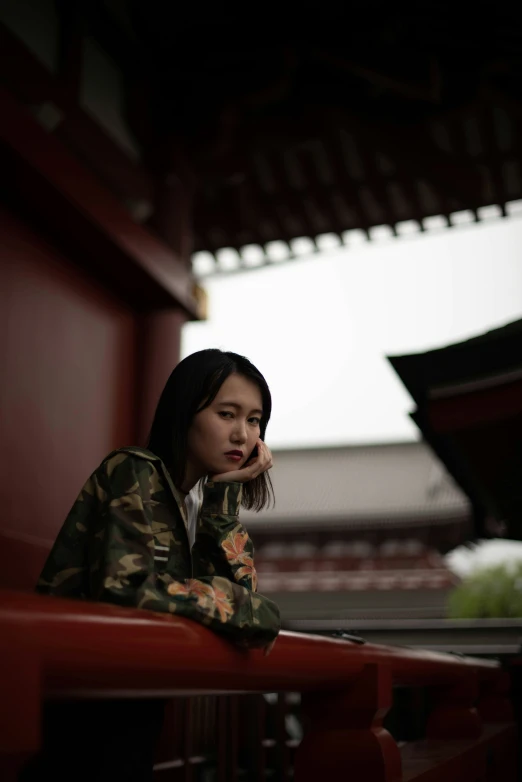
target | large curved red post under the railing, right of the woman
x=346, y=740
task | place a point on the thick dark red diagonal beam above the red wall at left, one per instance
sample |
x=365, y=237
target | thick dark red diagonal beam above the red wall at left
x=68, y=202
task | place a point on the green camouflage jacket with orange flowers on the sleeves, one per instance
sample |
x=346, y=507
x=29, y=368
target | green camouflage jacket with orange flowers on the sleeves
x=125, y=541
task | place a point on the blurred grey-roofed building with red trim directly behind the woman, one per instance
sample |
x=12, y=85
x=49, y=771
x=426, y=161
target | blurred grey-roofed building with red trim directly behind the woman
x=359, y=533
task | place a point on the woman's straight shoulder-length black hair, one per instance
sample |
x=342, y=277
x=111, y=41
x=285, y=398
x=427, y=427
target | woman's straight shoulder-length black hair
x=191, y=387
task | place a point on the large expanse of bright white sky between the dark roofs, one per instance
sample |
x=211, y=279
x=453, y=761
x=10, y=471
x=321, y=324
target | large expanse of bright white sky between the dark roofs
x=319, y=327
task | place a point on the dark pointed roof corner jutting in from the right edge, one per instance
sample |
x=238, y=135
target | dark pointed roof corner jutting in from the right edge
x=468, y=400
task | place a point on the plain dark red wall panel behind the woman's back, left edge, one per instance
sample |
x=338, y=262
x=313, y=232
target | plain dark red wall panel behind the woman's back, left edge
x=67, y=394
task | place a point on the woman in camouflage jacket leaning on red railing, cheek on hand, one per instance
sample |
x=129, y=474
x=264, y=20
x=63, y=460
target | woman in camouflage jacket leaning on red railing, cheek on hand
x=134, y=536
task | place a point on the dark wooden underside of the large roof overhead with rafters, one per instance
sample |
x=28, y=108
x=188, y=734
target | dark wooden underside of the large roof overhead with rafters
x=323, y=121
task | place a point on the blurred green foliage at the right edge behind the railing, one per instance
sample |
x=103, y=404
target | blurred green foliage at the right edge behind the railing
x=488, y=593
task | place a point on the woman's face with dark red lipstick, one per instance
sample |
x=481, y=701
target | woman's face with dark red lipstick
x=223, y=435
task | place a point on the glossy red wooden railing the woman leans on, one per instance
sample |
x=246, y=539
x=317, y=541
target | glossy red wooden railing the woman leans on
x=52, y=648
